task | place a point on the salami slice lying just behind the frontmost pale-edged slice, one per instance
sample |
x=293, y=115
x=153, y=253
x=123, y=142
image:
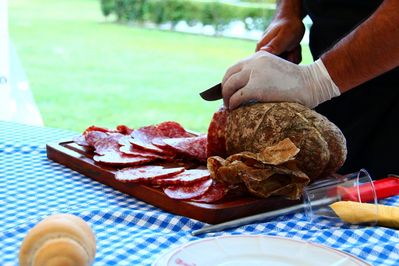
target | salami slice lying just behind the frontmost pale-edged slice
x=188, y=177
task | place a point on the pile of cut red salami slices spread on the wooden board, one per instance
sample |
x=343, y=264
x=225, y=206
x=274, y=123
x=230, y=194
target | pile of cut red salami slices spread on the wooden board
x=163, y=155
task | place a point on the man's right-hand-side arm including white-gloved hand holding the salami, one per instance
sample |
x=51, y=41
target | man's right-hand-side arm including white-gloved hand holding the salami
x=368, y=51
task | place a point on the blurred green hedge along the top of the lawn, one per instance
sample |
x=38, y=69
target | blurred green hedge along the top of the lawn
x=216, y=13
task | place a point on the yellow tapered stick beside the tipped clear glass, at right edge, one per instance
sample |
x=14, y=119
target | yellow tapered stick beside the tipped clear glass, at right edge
x=356, y=212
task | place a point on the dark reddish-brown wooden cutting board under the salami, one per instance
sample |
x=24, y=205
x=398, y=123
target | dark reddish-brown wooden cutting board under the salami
x=79, y=158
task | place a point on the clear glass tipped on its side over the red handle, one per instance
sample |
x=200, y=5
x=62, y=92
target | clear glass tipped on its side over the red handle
x=358, y=187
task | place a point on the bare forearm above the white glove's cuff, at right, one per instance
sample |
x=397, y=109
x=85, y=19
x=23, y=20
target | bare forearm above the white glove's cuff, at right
x=368, y=51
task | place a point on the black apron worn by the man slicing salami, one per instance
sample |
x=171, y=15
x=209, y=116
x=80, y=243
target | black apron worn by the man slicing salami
x=368, y=115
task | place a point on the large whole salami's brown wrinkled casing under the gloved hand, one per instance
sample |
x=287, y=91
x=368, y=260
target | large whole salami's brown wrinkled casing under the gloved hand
x=322, y=145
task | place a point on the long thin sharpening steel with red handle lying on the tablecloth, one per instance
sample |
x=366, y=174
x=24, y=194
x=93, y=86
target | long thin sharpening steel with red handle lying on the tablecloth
x=384, y=188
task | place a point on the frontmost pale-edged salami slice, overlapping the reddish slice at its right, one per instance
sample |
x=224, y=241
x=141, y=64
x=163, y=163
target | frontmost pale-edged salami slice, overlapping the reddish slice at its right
x=188, y=192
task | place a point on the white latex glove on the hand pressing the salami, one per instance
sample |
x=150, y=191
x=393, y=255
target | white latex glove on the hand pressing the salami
x=264, y=77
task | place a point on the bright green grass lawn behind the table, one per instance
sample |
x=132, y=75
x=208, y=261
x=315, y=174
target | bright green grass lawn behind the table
x=84, y=70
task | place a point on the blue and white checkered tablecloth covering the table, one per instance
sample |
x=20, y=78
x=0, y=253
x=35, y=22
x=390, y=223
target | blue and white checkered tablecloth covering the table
x=129, y=231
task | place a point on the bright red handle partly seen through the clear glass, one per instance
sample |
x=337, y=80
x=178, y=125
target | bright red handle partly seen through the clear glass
x=384, y=188
